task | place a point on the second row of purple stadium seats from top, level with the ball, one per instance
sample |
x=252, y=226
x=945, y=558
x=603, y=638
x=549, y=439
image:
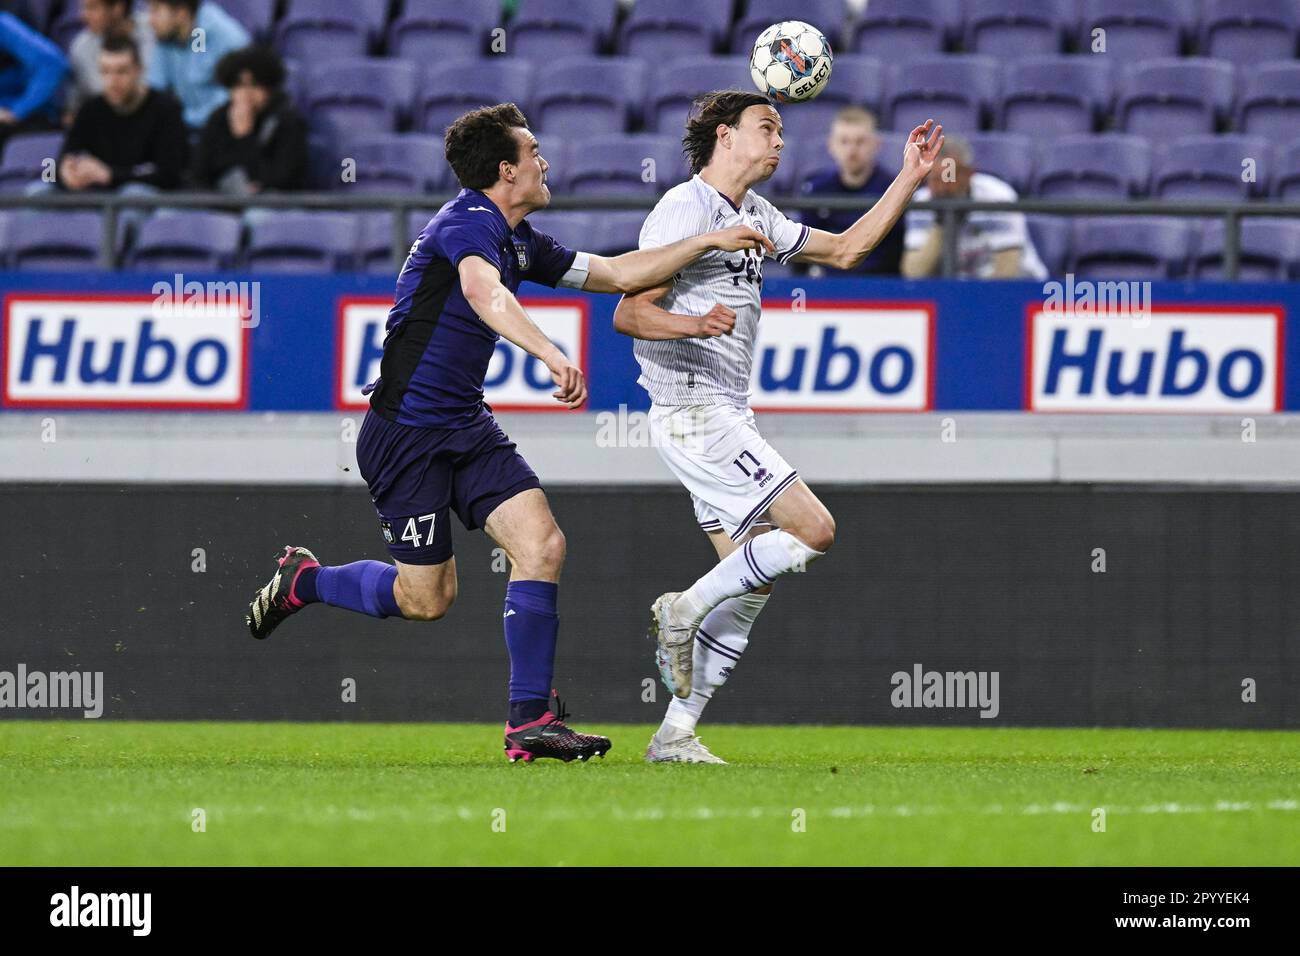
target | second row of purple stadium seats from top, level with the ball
x=1037, y=96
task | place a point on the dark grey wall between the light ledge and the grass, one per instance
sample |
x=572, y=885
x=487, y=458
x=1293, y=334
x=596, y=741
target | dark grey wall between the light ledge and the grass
x=1065, y=605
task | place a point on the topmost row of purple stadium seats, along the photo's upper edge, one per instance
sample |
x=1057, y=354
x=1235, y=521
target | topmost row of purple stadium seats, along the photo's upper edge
x=1245, y=32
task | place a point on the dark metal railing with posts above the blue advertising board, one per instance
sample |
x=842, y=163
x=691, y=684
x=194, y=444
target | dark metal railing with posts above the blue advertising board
x=951, y=213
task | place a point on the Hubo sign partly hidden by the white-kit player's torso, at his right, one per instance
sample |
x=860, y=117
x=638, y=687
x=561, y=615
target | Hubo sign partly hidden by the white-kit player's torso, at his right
x=844, y=357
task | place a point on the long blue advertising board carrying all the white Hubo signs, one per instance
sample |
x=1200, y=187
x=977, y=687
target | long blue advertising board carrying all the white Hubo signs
x=301, y=344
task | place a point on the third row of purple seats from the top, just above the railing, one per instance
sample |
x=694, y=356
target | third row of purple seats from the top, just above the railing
x=1107, y=166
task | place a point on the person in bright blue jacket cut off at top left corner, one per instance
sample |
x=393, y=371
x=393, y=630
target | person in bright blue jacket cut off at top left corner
x=32, y=72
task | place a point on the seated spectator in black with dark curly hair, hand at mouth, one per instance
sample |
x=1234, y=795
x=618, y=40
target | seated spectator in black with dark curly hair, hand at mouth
x=258, y=141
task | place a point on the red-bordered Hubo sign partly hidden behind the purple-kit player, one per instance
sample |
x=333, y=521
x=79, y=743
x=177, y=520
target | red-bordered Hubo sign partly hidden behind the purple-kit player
x=515, y=380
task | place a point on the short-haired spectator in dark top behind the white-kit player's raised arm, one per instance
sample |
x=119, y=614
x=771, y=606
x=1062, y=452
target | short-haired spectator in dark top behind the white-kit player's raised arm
x=853, y=146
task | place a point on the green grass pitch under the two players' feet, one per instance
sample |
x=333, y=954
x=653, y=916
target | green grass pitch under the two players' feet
x=124, y=794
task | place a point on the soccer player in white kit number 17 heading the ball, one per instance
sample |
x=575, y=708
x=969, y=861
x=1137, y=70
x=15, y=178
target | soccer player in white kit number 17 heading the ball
x=696, y=341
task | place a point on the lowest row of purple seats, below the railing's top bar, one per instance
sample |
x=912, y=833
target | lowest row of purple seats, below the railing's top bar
x=1116, y=248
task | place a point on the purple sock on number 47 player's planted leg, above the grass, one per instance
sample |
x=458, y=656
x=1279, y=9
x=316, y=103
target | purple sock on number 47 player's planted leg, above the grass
x=532, y=628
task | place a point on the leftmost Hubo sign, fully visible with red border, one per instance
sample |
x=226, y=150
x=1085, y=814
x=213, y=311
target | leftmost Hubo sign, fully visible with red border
x=124, y=351
